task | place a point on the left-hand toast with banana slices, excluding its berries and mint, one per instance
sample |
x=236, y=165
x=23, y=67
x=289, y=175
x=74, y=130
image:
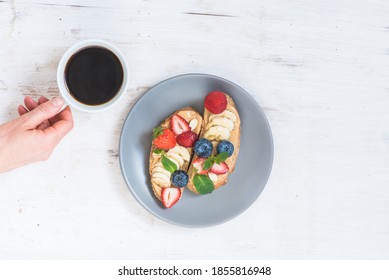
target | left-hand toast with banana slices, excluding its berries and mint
x=160, y=177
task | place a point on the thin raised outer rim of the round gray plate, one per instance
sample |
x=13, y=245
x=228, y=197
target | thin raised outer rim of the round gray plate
x=222, y=221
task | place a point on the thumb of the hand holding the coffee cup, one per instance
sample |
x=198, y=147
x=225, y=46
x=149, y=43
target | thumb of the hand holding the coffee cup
x=44, y=112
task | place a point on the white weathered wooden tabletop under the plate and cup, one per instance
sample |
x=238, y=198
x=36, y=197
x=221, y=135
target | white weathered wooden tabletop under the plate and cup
x=320, y=71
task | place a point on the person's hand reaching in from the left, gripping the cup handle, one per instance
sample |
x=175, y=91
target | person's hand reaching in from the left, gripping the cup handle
x=34, y=135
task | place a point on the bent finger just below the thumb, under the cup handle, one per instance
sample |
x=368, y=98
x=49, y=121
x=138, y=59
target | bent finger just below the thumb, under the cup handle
x=64, y=123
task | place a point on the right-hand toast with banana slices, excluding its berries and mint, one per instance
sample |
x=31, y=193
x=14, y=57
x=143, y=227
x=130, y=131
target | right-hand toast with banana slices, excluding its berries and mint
x=230, y=131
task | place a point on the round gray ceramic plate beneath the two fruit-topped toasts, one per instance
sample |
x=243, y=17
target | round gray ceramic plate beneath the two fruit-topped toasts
x=252, y=169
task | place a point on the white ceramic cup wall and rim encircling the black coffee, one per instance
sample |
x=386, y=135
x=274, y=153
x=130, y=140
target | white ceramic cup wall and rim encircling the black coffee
x=61, y=80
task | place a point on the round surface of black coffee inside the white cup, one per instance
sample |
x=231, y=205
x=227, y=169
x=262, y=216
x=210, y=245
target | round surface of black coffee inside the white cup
x=94, y=75
